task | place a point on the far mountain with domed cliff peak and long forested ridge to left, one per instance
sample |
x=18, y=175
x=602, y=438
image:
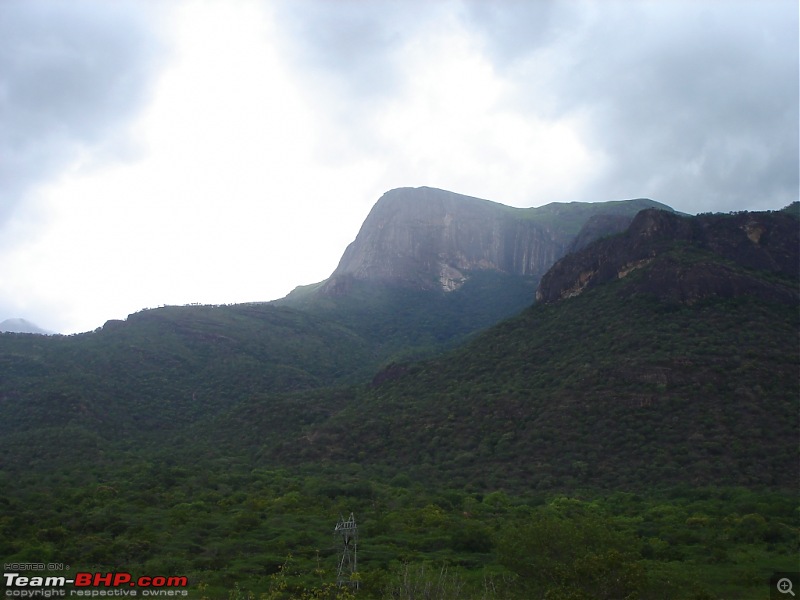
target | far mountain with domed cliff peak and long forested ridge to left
x=170, y=366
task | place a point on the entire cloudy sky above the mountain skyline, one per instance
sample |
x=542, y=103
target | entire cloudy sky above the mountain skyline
x=199, y=151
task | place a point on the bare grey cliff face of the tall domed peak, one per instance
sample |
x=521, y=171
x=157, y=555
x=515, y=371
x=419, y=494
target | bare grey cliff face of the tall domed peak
x=432, y=239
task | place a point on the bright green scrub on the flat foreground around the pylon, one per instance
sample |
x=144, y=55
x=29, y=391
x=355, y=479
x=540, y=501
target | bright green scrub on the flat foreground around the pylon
x=229, y=526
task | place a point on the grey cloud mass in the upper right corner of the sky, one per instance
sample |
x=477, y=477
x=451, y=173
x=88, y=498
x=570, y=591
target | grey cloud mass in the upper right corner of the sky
x=693, y=103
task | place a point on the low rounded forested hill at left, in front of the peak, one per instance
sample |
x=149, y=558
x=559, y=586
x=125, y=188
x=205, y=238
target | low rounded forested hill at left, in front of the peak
x=136, y=381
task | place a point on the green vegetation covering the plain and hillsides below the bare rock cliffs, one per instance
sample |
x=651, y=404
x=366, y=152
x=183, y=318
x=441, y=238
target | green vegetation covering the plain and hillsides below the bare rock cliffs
x=619, y=444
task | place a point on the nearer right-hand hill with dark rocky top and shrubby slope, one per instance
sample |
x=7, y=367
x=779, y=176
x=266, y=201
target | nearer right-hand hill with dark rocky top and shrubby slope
x=665, y=355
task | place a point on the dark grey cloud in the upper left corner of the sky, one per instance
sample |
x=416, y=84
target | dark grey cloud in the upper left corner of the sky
x=71, y=73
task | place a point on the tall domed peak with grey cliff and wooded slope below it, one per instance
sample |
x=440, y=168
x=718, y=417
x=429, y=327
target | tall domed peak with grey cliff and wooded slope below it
x=430, y=267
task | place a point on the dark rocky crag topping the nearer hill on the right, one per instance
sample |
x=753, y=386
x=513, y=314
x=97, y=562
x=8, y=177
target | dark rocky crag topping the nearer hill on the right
x=685, y=259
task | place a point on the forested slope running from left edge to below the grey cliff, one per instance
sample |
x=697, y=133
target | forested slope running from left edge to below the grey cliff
x=163, y=368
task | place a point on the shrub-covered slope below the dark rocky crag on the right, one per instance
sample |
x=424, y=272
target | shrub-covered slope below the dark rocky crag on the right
x=592, y=392
